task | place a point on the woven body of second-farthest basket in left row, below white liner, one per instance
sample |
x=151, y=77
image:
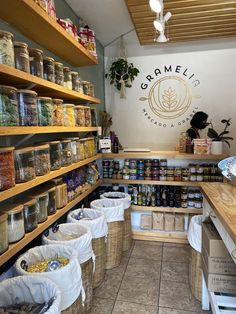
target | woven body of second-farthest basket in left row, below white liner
x=114, y=244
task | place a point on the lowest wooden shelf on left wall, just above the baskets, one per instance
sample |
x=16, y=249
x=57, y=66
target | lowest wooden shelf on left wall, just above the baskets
x=16, y=247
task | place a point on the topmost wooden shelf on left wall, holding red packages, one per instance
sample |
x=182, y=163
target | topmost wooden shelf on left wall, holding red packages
x=31, y=20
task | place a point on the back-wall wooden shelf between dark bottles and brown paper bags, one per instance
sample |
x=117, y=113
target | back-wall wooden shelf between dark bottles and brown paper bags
x=166, y=209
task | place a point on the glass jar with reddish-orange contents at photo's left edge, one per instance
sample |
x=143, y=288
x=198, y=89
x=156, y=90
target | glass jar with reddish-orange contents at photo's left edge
x=7, y=170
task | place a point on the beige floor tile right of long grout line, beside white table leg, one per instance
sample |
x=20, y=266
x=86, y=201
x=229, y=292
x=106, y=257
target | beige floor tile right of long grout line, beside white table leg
x=177, y=295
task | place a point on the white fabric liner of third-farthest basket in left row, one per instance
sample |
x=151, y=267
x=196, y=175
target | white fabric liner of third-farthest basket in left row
x=94, y=219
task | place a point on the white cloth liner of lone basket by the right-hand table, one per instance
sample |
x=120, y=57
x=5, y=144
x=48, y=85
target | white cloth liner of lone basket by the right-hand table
x=195, y=232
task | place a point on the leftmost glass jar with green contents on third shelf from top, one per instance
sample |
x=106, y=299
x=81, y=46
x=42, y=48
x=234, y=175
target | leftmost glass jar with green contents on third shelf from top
x=9, y=115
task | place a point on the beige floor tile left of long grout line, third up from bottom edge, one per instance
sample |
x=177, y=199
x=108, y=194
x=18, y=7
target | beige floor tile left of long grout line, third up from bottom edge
x=143, y=268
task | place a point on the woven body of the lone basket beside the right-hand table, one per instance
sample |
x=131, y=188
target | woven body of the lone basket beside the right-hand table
x=195, y=274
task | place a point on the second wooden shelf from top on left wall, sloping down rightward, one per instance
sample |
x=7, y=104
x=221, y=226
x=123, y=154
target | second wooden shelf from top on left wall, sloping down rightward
x=13, y=77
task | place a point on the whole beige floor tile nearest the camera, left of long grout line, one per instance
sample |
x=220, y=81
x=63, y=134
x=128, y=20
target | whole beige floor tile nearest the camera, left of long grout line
x=139, y=290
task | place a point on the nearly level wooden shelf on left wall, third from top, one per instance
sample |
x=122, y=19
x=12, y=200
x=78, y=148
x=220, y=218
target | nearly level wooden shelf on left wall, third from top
x=20, y=130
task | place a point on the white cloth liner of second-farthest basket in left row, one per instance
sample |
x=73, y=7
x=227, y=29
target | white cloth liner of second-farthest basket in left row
x=113, y=209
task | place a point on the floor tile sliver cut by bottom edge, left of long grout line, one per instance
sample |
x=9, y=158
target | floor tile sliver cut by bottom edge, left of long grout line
x=133, y=308
